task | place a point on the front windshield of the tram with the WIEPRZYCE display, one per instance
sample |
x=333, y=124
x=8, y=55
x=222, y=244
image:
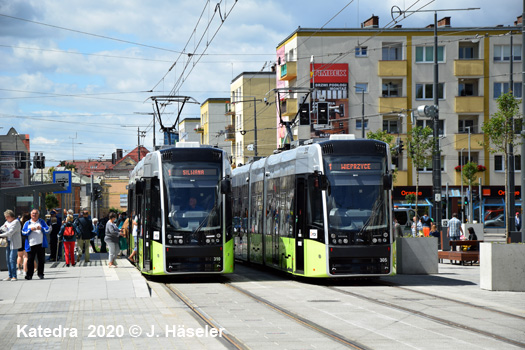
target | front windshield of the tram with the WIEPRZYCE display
x=356, y=203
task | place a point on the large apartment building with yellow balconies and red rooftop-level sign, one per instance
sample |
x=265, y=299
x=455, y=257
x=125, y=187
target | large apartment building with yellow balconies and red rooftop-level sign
x=372, y=79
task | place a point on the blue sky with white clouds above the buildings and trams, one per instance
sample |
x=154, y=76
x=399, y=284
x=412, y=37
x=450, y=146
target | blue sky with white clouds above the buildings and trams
x=77, y=75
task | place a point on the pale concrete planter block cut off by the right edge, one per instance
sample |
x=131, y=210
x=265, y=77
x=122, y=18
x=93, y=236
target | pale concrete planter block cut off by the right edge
x=501, y=266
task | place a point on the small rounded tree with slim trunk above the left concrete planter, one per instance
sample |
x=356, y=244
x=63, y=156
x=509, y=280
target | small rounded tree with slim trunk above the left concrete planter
x=419, y=146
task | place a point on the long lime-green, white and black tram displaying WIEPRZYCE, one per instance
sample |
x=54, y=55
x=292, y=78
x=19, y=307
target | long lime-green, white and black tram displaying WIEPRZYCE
x=319, y=210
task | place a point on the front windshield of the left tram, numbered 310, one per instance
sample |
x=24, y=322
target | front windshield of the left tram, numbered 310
x=192, y=197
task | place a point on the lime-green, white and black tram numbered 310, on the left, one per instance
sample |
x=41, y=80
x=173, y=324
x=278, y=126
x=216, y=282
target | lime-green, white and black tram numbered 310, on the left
x=182, y=199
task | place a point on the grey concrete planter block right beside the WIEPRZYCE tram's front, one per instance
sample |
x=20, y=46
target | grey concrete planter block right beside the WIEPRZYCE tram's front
x=417, y=255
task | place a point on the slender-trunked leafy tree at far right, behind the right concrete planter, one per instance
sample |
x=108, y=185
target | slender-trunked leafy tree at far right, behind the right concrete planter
x=500, y=132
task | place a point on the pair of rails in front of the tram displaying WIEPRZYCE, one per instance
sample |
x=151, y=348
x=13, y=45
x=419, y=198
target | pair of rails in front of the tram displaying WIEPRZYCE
x=435, y=318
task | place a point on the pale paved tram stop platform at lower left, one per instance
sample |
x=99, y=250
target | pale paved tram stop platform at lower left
x=92, y=306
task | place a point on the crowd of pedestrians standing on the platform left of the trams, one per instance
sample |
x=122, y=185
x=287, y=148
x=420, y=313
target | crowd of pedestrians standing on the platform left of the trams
x=27, y=240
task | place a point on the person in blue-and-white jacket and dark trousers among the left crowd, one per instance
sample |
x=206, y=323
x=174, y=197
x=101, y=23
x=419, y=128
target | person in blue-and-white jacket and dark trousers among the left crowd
x=35, y=230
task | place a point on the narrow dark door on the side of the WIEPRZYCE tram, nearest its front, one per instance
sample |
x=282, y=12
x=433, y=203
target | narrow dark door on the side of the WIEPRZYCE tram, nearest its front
x=300, y=223
